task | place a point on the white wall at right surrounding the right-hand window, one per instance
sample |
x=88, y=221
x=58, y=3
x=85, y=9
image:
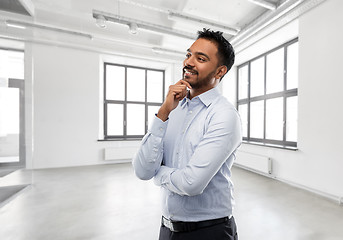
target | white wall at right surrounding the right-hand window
x=318, y=163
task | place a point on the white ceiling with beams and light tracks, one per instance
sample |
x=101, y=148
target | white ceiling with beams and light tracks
x=72, y=22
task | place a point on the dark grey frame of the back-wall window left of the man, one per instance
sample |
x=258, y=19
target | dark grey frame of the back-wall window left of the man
x=125, y=102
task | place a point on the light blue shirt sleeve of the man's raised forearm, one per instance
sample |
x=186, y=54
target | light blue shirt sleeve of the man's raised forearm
x=147, y=160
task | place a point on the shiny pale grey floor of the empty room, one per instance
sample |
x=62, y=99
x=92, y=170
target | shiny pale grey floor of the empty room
x=108, y=203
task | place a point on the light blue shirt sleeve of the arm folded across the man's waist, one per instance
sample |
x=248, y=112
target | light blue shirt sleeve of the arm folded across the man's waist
x=221, y=139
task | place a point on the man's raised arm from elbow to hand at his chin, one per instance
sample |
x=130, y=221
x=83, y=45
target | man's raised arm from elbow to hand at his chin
x=148, y=159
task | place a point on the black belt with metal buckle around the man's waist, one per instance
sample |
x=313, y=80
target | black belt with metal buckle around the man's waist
x=177, y=226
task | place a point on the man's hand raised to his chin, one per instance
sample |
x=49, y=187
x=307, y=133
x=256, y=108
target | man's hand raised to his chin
x=175, y=94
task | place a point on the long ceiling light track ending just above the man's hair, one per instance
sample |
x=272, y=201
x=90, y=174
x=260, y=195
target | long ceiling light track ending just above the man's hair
x=109, y=17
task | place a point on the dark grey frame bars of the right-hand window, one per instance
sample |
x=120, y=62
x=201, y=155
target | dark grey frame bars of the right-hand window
x=285, y=94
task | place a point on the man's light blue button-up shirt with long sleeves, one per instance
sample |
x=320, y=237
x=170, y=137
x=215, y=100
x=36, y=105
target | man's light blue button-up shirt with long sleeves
x=190, y=156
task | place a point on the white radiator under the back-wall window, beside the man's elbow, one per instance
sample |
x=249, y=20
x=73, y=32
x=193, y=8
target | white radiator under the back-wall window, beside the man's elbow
x=119, y=154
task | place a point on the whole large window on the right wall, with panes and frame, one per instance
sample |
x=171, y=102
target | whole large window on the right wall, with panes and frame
x=267, y=96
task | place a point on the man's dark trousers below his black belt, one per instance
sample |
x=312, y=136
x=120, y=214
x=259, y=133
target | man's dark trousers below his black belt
x=222, y=231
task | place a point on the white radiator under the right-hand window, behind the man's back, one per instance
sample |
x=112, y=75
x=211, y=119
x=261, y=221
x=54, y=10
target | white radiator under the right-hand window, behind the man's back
x=254, y=162
